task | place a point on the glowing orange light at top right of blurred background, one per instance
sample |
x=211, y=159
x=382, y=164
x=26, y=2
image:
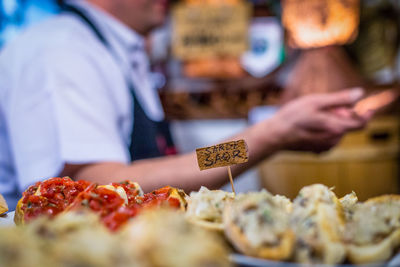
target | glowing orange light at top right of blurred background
x=317, y=23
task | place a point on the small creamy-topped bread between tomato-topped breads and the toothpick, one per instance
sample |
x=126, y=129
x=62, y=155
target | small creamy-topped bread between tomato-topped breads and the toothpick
x=205, y=208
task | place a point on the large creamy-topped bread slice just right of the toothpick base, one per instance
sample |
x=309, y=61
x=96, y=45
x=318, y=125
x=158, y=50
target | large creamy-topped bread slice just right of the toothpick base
x=257, y=224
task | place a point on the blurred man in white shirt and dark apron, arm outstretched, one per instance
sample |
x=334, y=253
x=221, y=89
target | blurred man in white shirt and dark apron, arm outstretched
x=73, y=88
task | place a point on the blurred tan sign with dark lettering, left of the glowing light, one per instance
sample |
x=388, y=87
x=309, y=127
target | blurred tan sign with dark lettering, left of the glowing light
x=210, y=30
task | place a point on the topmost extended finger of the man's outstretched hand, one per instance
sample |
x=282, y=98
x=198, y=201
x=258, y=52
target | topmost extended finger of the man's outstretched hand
x=342, y=98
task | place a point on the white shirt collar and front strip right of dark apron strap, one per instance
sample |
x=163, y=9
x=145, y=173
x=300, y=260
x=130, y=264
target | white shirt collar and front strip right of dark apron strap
x=129, y=49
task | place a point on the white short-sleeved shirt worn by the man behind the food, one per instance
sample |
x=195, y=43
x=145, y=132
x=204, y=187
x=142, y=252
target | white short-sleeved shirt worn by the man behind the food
x=64, y=98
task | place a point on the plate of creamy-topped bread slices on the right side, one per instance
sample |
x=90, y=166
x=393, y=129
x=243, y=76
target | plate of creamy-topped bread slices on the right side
x=316, y=229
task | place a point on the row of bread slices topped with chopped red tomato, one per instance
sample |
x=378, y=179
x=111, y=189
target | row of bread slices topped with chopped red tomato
x=115, y=203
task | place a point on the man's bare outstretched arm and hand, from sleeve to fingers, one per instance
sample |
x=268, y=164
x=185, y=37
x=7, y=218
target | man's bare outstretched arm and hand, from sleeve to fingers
x=313, y=123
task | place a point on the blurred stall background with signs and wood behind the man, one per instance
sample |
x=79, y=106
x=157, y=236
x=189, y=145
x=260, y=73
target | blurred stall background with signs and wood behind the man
x=222, y=64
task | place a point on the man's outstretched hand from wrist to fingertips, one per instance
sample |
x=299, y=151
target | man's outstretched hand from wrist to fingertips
x=317, y=122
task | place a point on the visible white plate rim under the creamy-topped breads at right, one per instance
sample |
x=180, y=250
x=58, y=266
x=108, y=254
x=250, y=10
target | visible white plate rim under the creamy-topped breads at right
x=246, y=261
